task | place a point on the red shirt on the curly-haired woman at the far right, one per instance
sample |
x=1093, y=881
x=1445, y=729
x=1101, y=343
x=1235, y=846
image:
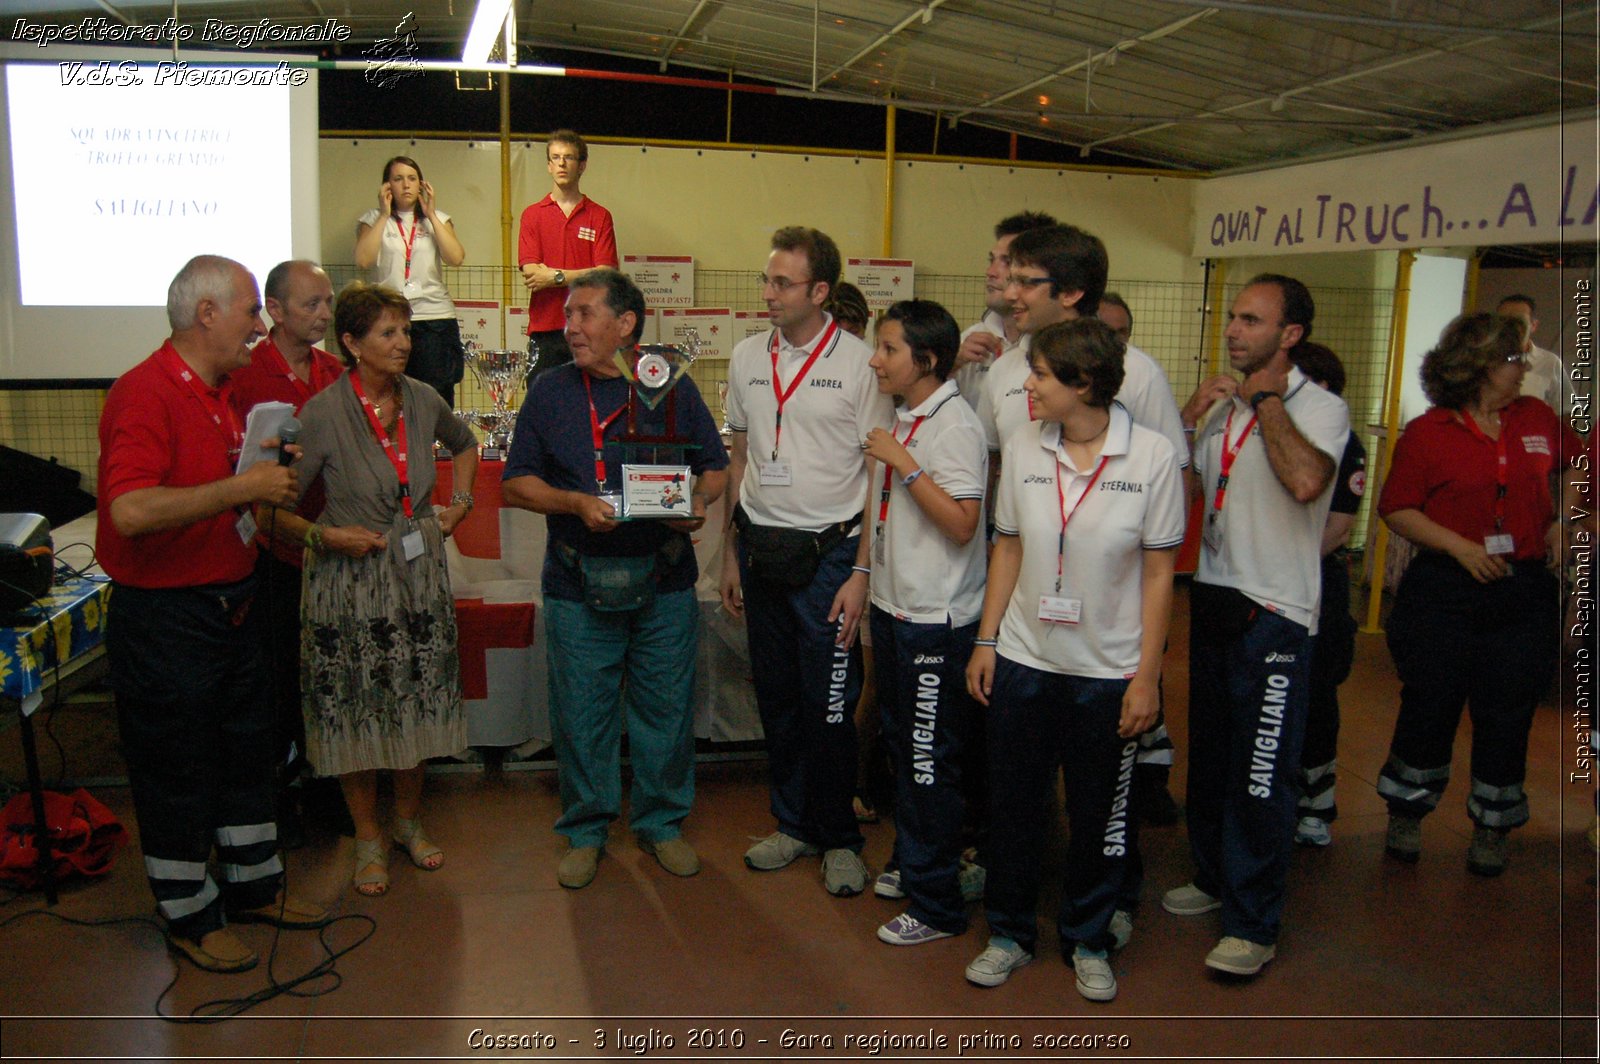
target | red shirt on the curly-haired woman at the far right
x=1450, y=473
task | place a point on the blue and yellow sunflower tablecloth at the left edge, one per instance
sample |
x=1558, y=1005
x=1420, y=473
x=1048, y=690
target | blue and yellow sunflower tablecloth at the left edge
x=65, y=625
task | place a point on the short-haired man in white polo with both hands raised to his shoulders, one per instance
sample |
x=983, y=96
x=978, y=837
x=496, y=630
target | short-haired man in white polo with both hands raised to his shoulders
x=1266, y=462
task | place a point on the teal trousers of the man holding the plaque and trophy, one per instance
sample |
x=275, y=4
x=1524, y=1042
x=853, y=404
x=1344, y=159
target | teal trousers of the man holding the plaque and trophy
x=602, y=666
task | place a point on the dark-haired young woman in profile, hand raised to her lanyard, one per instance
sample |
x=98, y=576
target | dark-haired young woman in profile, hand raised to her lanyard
x=927, y=594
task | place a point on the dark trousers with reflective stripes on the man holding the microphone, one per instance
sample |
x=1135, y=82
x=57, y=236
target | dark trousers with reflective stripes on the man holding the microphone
x=199, y=738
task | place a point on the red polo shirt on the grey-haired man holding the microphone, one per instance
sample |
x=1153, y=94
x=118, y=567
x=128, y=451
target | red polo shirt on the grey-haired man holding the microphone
x=158, y=433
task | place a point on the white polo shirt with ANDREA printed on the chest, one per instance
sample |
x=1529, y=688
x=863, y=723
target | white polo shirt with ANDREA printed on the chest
x=826, y=420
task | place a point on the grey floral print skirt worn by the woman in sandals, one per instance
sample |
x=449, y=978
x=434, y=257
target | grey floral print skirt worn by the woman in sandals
x=378, y=658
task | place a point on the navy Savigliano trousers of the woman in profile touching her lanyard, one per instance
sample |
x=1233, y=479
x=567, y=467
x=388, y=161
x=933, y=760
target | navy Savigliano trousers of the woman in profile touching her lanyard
x=926, y=711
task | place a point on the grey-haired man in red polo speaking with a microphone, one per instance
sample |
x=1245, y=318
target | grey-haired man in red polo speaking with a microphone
x=186, y=649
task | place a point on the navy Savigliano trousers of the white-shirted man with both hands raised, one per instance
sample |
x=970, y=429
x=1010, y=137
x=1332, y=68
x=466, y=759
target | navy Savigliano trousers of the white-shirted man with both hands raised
x=1249, y=697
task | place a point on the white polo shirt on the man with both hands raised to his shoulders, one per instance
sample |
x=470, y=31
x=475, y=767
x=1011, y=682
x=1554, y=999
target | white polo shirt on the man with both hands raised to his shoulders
x=1270, y=546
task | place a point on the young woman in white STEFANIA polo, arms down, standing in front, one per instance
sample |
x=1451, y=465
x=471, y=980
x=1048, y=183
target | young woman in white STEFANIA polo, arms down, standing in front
x=1081, y=583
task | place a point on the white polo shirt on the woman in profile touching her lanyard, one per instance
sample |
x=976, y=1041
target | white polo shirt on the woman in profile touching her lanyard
x=919, y=574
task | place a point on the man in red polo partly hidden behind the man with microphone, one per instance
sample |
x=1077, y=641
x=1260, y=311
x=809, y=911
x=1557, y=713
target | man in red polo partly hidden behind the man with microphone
x=287, y=367
